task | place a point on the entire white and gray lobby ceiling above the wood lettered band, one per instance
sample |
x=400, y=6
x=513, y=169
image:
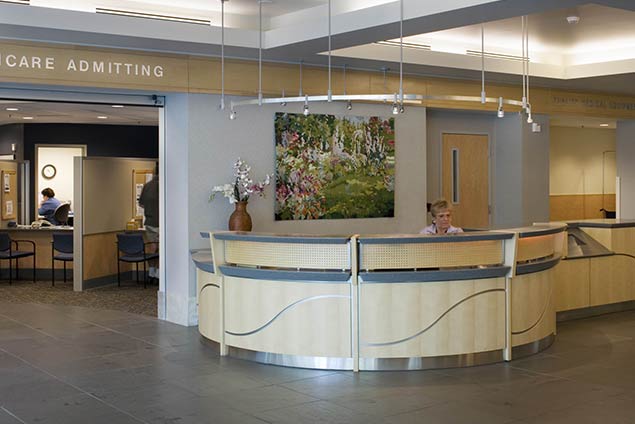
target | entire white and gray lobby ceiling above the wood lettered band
x=596, y=54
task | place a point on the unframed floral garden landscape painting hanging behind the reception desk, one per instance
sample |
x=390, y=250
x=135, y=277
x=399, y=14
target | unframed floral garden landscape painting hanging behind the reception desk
x=330, y=167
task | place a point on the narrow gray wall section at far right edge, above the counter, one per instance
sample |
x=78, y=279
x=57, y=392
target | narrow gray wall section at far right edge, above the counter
x=625, y=152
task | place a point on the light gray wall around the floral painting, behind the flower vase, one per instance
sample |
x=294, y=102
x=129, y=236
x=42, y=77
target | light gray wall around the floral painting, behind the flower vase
x=216, y=142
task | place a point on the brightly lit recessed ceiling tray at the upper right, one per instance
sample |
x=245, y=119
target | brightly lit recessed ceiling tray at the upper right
x=602, y=43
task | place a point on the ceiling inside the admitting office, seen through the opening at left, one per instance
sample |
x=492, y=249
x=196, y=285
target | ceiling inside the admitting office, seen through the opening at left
x=75, y=113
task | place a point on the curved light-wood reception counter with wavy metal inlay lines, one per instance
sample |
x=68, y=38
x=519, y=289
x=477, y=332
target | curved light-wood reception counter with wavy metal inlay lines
x=380, y=302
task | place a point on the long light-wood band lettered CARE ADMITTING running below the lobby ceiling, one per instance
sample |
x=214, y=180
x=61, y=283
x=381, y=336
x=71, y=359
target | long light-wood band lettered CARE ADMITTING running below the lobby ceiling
x=203, y=75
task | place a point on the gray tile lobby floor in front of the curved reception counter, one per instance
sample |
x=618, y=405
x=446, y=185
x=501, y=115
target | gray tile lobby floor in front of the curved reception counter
x=68, y=364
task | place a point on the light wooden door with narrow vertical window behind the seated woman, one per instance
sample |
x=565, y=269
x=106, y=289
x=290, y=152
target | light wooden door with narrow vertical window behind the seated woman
x=465, y=180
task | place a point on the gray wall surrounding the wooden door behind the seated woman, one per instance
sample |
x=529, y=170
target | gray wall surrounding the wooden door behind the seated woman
x=519, y=162
